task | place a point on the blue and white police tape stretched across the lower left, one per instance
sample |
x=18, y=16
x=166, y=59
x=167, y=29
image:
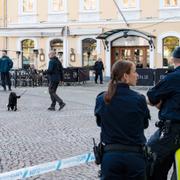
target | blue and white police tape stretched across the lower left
x=47, y=167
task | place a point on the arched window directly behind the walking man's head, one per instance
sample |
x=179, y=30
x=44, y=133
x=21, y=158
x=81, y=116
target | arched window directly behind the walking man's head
x=57, y=46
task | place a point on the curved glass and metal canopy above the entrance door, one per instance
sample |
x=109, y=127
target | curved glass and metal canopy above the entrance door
x=114, y=34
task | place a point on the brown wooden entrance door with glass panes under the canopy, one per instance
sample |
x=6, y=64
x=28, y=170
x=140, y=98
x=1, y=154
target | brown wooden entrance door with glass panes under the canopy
x=138, y=54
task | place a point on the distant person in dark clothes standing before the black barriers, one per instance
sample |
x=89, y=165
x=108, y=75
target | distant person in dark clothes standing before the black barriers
x=99, y=67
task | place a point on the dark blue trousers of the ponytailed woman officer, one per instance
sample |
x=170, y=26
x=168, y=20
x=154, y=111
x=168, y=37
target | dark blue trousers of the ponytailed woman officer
x=123, y=166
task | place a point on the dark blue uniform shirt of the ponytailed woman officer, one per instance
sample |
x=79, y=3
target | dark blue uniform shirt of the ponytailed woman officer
x=123, y=120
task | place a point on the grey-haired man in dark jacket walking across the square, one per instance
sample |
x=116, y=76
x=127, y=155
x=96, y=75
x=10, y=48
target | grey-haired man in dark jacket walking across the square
x=55, y=75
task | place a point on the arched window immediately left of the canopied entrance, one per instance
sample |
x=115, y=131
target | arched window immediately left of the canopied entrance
x=89, y=52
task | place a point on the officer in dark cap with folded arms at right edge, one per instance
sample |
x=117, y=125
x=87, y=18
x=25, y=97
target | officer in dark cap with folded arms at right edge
x=166, y=140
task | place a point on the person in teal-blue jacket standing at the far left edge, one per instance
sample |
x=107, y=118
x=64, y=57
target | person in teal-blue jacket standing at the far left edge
x=5, y=65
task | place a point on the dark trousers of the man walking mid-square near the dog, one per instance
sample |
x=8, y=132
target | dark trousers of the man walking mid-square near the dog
x=54, y=97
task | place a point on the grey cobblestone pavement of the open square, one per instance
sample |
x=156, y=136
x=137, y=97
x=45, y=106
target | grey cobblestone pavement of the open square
x=33, y=135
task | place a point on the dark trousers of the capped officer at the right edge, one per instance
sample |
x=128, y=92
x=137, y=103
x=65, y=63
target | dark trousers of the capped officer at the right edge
x=164, y=146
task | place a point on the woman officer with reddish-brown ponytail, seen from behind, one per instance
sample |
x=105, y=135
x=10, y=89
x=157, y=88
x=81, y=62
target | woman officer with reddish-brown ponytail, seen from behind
x=124, y=116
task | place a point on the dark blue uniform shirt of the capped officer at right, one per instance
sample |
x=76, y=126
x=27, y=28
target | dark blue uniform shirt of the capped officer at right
x=167, y=90
